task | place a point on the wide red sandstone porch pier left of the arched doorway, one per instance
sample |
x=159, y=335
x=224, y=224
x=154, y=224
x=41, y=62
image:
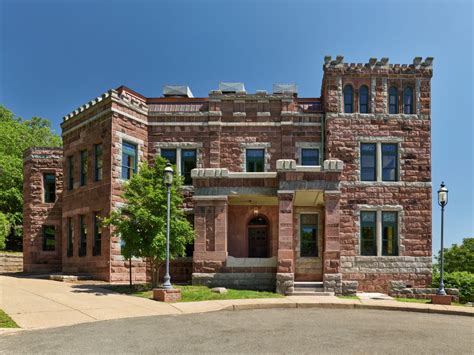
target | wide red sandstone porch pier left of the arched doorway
x=210, y=245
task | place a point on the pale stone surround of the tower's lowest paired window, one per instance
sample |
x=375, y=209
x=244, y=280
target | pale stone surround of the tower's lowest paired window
x=378, y=228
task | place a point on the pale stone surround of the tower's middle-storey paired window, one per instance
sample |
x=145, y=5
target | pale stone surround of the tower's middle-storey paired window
x=378, y=157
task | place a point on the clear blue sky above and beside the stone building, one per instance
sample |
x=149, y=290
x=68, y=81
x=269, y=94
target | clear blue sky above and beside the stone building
x=57, y=55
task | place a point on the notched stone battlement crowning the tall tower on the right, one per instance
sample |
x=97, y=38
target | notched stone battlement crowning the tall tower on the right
x=375, y=66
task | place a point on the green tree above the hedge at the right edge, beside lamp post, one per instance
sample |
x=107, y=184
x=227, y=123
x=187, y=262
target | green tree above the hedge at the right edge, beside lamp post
x=459, y=257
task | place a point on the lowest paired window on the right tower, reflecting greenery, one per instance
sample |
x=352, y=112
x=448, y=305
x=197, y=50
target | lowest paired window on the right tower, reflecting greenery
x=379, y=233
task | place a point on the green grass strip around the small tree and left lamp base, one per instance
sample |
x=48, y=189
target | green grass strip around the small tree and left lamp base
x=193, y=293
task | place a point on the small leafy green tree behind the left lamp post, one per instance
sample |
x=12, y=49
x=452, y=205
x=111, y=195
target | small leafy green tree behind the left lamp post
x=141, y=222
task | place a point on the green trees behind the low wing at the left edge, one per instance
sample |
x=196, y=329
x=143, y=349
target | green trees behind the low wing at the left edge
x=17, y=135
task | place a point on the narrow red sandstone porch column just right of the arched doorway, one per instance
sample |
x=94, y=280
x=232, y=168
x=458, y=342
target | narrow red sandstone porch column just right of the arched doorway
x=286, y=256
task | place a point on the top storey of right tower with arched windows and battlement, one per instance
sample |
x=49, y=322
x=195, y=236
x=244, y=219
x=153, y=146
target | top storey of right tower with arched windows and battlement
x=371, y=84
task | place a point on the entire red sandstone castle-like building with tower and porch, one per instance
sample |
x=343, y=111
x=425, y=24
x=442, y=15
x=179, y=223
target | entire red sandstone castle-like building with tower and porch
x=281, y=189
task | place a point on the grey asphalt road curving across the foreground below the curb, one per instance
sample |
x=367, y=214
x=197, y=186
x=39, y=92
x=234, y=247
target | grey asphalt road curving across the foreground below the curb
x=273, y=331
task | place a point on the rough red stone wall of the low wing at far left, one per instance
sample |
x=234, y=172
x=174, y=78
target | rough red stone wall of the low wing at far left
x=37, y=213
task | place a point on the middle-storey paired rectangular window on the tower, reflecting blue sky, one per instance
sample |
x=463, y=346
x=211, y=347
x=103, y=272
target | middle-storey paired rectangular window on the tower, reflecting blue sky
x=379, y=161
